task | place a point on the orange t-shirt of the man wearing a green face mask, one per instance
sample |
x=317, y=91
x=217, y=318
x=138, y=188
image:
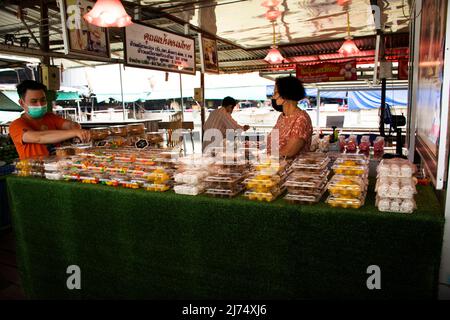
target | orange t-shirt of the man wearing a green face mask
x=50, y=121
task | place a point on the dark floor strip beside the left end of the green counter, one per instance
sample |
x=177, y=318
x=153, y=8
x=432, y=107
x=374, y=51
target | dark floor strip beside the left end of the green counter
x=10, y=288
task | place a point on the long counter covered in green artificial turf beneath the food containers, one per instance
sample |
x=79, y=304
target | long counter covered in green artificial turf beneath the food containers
x=140, y=244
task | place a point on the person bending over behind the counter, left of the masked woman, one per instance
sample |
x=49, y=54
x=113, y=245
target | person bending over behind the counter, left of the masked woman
x=222, y=120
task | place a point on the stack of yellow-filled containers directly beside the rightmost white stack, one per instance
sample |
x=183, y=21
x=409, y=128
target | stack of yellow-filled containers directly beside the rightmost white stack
x=348, y=187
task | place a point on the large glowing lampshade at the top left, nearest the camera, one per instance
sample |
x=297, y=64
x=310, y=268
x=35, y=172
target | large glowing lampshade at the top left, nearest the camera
x=108, y=13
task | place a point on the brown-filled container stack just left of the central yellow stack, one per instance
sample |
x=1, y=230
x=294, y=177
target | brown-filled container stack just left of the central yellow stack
x=229, y=174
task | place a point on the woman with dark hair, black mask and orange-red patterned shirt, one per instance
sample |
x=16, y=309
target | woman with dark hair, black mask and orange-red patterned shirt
x=294, y=125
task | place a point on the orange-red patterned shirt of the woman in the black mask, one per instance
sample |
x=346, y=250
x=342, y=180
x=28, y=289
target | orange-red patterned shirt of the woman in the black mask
x=296, y=125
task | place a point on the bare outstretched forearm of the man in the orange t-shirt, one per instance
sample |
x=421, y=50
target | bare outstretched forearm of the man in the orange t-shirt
x=54, y=136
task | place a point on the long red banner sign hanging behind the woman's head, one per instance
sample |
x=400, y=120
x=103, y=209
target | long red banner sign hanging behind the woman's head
x=324, y=72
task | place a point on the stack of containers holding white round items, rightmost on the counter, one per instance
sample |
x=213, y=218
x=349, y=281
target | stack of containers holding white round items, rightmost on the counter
x=396, y=186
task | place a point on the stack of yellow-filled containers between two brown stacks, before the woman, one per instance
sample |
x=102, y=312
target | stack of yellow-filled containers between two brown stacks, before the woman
x=266, y=182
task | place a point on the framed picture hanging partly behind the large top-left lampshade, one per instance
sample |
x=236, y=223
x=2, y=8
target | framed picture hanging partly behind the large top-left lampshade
x=80, y=36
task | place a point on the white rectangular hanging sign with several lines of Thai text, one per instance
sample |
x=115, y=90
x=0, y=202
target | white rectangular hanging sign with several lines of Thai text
x=152, y=48
